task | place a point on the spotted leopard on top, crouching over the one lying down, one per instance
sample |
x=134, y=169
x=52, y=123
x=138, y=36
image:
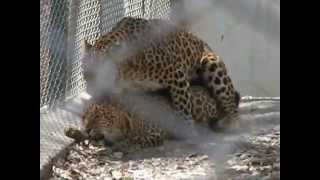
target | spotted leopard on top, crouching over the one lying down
x=163, y=56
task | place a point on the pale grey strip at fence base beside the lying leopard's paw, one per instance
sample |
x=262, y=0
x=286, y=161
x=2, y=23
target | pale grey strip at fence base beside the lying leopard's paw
x=52, y=124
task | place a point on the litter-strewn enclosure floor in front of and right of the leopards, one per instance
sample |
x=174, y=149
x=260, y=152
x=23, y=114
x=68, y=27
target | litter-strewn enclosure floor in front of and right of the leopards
x=251, y=153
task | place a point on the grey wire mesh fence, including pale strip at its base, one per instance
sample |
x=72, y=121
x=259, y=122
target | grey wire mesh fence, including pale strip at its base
x=63, y=25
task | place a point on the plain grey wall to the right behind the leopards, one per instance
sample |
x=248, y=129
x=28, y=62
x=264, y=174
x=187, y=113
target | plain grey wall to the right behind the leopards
x=246, y=34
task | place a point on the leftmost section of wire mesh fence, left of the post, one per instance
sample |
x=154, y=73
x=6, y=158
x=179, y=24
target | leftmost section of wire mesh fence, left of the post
x=53, y=62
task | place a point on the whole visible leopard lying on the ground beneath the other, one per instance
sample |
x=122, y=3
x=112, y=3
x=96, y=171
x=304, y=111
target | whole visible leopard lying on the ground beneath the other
x=109, y=120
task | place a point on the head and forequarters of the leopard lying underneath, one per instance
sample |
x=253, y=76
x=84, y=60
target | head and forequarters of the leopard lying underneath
x=108, y=120
